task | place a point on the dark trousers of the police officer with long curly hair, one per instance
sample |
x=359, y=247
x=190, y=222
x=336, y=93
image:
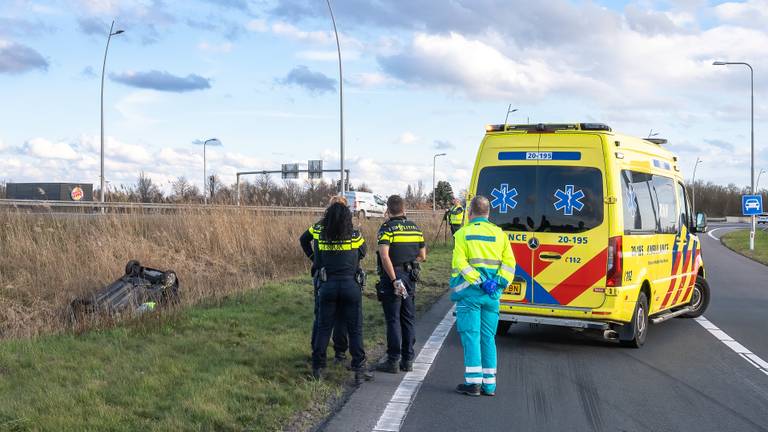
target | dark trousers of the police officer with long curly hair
x=345, y=298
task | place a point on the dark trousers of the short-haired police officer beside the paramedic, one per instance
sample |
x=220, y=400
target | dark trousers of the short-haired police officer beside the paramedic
x=400, y=315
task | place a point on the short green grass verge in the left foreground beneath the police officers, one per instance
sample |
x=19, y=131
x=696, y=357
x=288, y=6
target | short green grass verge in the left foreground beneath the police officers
x=242, y=363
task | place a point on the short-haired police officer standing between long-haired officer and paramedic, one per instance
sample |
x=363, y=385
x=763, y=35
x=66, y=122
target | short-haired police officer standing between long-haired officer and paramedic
x=401, y=249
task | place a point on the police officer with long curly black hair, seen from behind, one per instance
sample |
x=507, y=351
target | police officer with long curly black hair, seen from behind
x=337, y=257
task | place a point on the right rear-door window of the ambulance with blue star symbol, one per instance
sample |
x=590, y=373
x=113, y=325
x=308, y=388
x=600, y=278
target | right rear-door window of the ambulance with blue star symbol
x=571, y=199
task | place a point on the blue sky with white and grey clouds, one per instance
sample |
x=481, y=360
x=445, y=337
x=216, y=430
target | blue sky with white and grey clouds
x=420, y=77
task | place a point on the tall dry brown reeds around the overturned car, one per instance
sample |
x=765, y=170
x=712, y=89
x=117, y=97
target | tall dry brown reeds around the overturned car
x=48, y=260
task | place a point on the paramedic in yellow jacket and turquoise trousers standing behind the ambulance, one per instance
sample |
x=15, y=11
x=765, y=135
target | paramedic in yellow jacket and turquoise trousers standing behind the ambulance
x=483, y=265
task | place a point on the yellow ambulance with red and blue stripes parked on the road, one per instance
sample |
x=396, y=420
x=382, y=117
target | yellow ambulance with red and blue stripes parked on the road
x=600, y=225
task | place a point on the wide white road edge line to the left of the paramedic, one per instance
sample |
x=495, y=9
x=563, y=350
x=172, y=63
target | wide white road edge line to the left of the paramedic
x=394, y=414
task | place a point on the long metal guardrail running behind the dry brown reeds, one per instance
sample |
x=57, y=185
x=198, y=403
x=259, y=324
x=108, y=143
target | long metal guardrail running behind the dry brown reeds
x=118, y=207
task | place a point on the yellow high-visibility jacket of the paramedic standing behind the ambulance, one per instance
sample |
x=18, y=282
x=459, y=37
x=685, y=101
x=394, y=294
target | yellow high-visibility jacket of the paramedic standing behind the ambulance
x=481, y=252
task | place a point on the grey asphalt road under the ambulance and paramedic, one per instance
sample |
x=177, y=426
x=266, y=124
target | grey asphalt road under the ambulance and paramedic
x=555, y=379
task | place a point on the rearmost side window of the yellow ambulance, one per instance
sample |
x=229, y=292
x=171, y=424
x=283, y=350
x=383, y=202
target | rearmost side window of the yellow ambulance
x=639, y=203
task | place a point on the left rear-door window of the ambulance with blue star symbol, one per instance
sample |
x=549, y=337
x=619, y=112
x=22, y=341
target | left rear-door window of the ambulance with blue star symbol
x=512, y=192
